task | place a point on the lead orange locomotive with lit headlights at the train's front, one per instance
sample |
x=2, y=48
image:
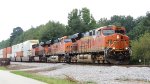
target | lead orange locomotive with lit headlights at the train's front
x=106, y=44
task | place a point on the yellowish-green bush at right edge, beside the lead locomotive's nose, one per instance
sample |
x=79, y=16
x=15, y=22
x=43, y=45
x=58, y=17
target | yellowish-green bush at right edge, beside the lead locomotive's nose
x=141, y=48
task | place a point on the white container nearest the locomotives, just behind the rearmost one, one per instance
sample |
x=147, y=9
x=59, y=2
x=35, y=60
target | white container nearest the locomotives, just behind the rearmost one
x=27, y=47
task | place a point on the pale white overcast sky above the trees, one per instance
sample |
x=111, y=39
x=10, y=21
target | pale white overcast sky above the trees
x=27, y=13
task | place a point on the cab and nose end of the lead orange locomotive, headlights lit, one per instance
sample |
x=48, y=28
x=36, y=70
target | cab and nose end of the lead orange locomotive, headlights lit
x=116, y=44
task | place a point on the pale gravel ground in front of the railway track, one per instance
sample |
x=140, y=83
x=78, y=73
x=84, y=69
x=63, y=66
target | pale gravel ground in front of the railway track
x=88, y=74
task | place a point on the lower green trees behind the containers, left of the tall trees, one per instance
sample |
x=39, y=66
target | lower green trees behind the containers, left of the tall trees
x=42, y=33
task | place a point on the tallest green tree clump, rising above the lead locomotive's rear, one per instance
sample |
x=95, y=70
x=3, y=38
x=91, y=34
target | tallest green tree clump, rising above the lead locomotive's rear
x=80, y=21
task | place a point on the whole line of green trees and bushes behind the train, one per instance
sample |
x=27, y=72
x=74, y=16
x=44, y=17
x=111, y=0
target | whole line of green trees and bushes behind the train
x=81, y=21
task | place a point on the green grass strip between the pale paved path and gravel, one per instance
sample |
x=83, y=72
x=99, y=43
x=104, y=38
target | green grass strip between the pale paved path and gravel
x=45, y=79
